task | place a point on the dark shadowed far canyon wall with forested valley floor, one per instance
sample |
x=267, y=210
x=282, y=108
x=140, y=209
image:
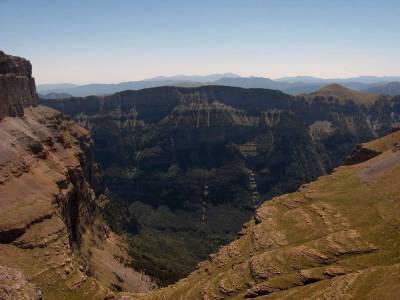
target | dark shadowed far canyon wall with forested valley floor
x=193, y=163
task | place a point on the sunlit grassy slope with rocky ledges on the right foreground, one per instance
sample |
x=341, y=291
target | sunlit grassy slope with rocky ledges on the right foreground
x=335, y=238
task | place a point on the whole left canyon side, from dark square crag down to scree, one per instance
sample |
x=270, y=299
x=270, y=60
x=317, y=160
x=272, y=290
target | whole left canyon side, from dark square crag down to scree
x=49, y=185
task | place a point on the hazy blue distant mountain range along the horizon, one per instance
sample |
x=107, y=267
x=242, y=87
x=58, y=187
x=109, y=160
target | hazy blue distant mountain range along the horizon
x=388, y=85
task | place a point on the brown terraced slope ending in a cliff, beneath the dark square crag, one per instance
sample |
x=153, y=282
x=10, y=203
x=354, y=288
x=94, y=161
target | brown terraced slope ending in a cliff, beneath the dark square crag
x=46, y=199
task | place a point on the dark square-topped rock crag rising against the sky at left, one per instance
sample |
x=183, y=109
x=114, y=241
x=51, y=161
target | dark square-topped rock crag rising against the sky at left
x=17, y=87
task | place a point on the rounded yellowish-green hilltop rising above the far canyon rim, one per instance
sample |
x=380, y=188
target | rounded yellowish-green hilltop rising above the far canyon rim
x=342, y=93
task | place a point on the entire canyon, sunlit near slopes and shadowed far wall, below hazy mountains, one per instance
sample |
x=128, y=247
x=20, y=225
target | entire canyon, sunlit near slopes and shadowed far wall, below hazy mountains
x=111, y=197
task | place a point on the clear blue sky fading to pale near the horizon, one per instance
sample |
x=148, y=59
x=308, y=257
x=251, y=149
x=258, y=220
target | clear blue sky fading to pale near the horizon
x=112, y=41
